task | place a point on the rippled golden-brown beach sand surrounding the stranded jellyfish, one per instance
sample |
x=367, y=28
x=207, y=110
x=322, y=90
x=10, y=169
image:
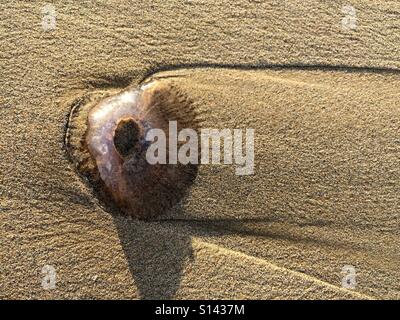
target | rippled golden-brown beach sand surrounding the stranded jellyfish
x=325, y=192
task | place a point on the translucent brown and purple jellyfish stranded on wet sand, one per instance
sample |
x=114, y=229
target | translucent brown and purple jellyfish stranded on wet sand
x=106, y=141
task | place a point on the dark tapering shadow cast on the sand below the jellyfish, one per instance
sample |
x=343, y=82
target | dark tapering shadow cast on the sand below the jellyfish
x=156, y=257
